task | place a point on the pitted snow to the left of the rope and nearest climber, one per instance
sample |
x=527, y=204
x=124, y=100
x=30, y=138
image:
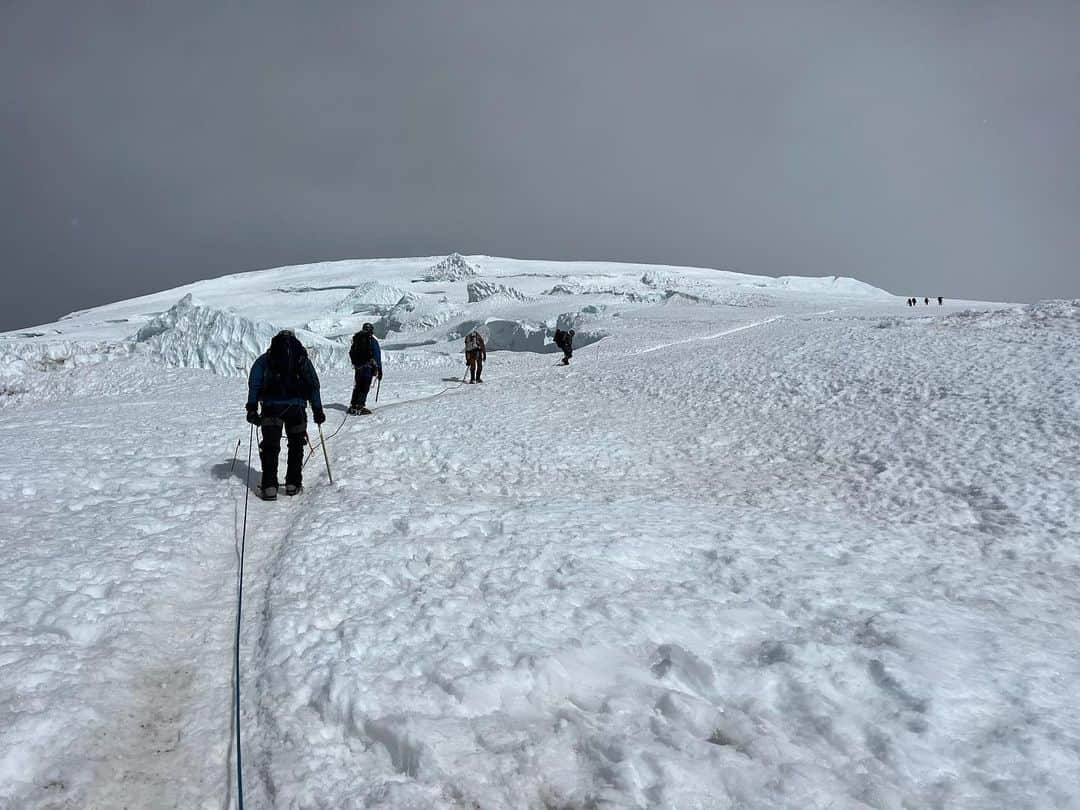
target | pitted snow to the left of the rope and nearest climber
x=116, y=670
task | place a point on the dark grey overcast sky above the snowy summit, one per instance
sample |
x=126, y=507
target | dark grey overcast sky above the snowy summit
x=926, y=147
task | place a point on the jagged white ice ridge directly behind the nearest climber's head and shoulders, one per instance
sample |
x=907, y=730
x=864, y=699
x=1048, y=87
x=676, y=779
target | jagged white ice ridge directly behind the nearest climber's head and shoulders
x=192, y=335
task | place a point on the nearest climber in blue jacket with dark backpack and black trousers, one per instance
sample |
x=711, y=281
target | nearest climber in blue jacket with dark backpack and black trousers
x=285, y=381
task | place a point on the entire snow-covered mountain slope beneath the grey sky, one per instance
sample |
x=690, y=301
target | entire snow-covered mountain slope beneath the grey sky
x=764, y=544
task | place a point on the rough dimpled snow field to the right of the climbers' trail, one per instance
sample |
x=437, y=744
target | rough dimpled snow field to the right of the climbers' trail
x=786, y=630
